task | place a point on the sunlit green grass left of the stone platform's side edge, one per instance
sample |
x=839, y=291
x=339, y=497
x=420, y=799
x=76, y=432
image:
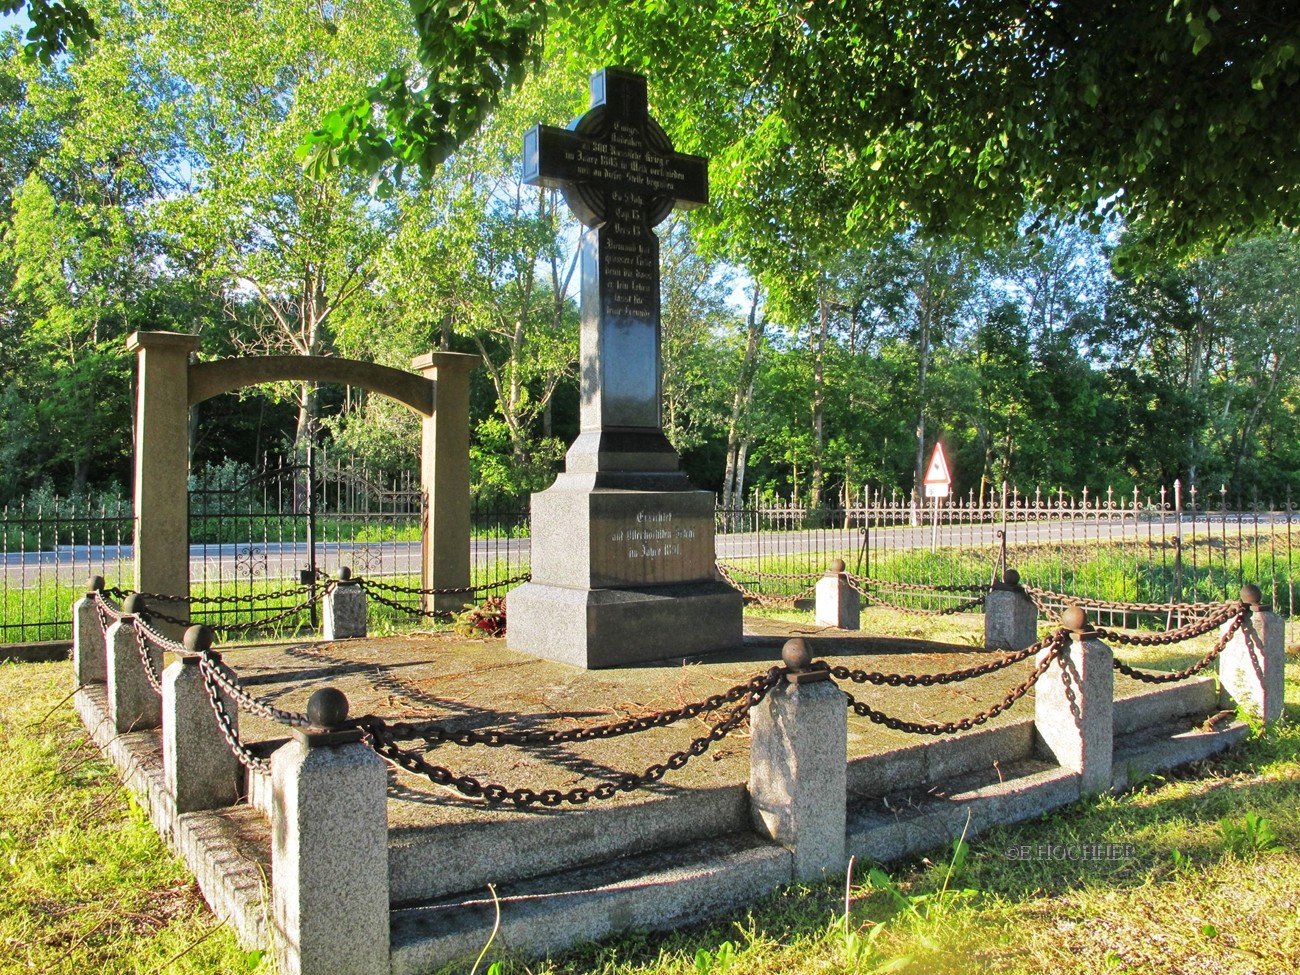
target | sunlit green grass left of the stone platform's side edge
x=85, y=883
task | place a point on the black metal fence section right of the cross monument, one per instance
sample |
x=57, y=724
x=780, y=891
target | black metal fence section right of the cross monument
x=1169, y=547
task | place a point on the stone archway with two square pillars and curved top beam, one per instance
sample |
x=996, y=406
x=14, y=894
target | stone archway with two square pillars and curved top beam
x=170, y=384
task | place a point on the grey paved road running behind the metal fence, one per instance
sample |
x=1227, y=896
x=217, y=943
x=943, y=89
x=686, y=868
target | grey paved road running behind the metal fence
x=73, y=565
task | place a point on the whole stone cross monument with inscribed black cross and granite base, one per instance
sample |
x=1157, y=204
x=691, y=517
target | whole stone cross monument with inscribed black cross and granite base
x=623, y=547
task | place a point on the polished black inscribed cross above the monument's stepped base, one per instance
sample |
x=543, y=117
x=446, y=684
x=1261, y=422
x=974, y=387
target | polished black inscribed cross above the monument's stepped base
x=622, y=177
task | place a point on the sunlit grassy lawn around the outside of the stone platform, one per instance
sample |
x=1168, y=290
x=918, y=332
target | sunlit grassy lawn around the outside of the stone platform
x=1193, y=873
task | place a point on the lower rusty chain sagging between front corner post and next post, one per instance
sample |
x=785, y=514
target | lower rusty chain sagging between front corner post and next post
x=493, y=794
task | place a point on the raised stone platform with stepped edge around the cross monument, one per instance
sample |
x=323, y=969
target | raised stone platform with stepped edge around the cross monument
x=669, y=852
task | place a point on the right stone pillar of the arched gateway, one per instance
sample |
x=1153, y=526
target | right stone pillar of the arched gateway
x=445, y=478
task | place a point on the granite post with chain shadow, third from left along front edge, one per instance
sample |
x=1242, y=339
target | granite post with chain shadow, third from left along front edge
x=1074, y=712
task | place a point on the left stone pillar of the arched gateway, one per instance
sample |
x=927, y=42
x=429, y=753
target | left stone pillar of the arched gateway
x=162, y=513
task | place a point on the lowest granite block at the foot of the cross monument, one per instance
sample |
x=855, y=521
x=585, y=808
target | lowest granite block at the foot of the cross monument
x=596, y=629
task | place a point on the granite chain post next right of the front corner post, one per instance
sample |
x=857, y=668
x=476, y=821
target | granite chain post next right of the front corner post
x=799, y=768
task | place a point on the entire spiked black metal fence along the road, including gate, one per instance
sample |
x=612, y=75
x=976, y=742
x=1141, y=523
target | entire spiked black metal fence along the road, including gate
x=263, y=532
